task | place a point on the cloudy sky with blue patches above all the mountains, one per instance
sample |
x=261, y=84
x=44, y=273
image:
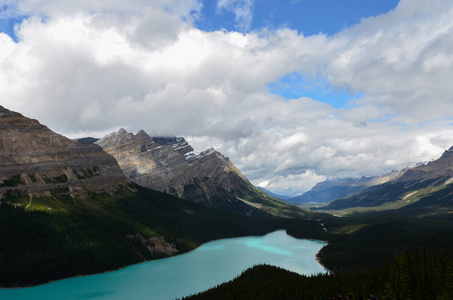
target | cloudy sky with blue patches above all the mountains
x=293, y=92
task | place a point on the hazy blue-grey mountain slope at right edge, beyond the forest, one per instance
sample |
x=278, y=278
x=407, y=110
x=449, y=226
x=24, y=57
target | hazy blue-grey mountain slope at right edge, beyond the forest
x=421, y=190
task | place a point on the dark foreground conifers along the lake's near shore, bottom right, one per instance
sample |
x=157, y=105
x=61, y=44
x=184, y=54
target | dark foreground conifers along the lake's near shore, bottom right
x=420, y=275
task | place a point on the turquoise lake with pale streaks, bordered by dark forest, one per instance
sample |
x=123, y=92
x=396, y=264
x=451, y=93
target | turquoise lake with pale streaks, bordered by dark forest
x=210, y=264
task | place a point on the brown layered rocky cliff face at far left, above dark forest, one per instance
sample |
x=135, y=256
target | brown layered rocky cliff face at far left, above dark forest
x=35, y=160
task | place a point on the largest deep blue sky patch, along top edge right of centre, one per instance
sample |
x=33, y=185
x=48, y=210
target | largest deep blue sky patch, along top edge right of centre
x=307, y=16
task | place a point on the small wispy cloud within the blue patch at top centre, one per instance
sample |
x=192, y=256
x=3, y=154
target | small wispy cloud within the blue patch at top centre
x=242, y=9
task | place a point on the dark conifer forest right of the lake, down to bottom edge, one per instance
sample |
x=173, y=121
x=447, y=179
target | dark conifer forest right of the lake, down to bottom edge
x=393, y=257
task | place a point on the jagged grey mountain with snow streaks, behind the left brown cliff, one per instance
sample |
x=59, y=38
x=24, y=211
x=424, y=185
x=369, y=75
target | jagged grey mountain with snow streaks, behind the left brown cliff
x=168, y=164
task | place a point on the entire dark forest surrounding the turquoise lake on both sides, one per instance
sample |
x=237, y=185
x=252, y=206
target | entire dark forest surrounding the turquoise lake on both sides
x=394, y=256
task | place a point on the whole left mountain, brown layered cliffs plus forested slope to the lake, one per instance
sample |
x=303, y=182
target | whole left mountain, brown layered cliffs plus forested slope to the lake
x=66, y=209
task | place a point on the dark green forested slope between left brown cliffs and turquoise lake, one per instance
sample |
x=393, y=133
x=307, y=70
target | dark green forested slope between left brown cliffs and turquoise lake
x=58, y=237
